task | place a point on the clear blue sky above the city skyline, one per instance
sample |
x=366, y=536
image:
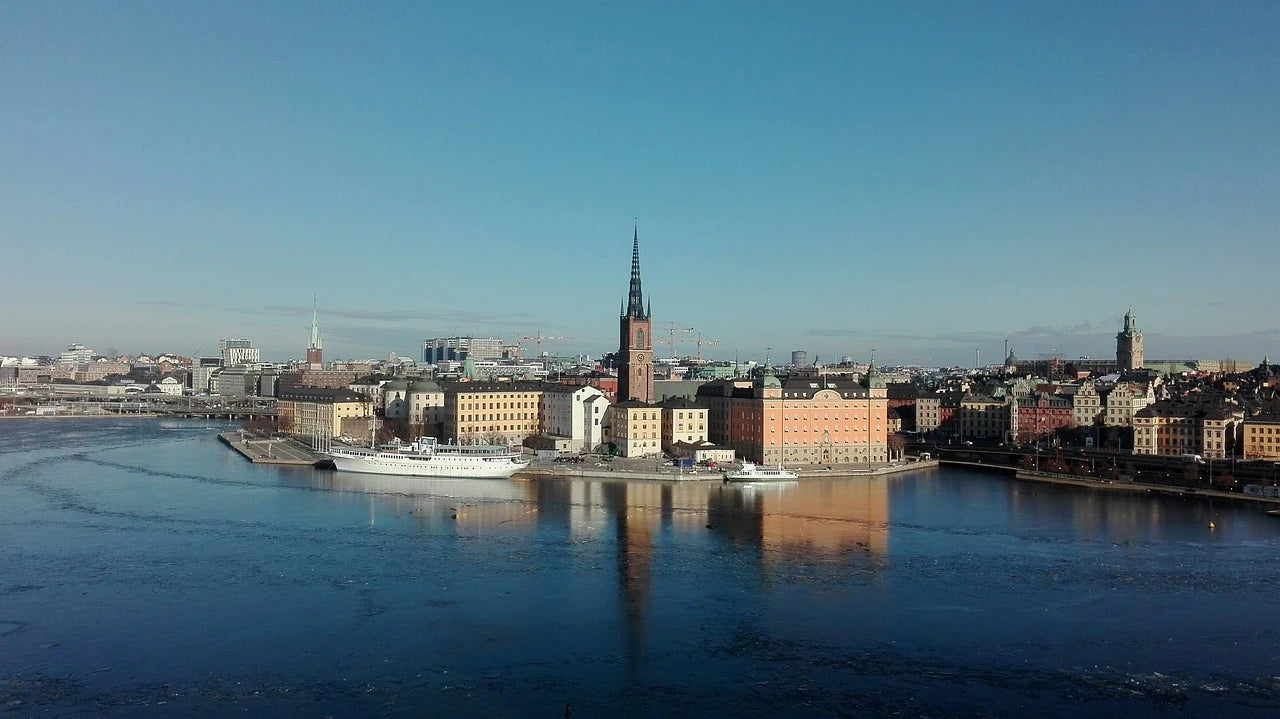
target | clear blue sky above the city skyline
x=921, y=178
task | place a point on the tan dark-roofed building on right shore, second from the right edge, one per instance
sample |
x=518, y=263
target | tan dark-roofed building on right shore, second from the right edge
x=1205, y=427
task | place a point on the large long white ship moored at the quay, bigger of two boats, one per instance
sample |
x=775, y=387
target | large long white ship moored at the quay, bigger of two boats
x=426, y=459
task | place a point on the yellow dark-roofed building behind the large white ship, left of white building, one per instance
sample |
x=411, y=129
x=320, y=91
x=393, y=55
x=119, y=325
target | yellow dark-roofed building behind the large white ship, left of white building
x=504, y=413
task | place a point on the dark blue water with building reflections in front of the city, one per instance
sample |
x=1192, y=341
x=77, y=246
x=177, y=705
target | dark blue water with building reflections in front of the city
x=147, y=570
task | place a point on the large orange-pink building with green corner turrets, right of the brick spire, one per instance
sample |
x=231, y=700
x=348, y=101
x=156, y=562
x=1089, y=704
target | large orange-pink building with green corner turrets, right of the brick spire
x=811, y=420
